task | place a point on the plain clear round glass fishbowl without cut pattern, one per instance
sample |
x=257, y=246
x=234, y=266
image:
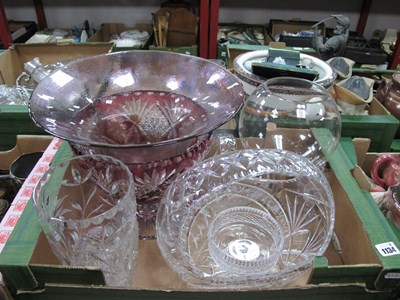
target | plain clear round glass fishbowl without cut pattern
x=292, y=114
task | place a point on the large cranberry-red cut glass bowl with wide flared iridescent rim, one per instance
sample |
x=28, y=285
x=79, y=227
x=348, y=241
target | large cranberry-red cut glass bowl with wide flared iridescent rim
x=153, y=110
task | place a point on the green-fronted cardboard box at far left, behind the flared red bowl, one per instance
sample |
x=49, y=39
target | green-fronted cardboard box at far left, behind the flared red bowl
x=14, y=119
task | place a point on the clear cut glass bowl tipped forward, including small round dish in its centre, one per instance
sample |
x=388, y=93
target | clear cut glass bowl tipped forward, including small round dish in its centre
x=247, y=219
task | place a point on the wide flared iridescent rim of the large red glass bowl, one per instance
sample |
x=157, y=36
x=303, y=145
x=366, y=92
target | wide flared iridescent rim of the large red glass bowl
x=227, y=95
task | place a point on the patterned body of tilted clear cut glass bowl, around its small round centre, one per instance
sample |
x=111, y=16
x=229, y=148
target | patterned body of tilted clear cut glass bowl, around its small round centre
x=283, y=184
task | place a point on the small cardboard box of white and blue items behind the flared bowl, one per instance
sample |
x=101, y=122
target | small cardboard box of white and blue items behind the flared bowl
x=107, y=30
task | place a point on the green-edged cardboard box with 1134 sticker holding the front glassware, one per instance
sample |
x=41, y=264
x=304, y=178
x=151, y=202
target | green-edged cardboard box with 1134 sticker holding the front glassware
x=354, y=269
